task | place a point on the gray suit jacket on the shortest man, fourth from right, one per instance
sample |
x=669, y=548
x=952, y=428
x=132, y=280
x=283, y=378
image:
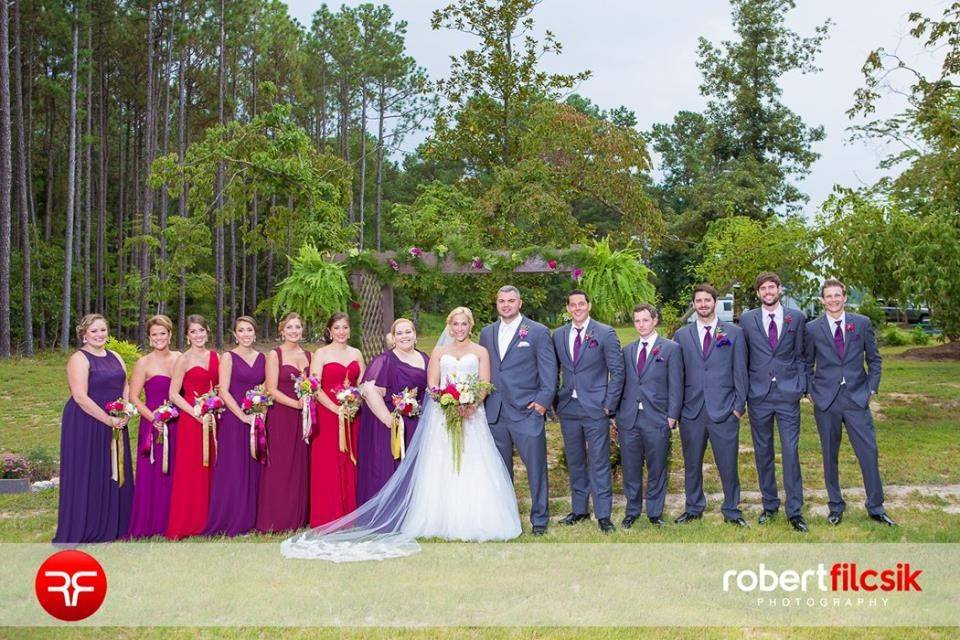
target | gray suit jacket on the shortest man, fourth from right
x=659, y=387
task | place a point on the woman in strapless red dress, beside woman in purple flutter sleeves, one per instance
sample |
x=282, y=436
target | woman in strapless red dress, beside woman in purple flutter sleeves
x=333, y=477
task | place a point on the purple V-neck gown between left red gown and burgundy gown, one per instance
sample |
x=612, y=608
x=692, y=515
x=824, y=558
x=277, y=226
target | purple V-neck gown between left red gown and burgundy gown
x=236, y=476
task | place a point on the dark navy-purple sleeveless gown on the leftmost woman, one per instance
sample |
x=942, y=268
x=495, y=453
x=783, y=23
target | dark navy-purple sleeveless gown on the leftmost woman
x=93, y=506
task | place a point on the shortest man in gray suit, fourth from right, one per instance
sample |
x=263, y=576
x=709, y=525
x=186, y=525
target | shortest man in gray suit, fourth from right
x=649, y=410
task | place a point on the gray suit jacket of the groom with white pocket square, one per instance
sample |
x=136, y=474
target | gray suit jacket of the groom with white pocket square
x=526, y=373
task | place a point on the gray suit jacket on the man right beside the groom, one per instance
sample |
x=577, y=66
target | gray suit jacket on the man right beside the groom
x=597, y=376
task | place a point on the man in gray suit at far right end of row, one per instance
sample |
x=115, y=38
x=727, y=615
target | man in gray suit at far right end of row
x=843, y=366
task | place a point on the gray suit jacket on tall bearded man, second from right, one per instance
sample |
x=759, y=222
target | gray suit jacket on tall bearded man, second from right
x=785, y=364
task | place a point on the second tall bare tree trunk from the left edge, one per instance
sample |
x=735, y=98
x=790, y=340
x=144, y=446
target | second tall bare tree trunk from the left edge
x=23, y=188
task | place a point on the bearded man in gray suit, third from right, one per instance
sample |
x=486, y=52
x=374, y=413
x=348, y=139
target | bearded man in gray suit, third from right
x=714, y=399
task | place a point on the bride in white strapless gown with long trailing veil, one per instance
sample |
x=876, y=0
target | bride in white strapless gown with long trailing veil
x=427, y=496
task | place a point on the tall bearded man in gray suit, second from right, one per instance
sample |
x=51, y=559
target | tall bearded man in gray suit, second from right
x=778, y=379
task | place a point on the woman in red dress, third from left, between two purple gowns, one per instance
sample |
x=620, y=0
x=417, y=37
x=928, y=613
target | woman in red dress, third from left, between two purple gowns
x=195, y=373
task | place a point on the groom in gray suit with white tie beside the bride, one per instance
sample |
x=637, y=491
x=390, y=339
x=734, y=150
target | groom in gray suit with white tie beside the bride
x=523, y=370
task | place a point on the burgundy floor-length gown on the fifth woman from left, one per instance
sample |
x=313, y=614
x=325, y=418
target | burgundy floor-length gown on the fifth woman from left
x=282, y=501
